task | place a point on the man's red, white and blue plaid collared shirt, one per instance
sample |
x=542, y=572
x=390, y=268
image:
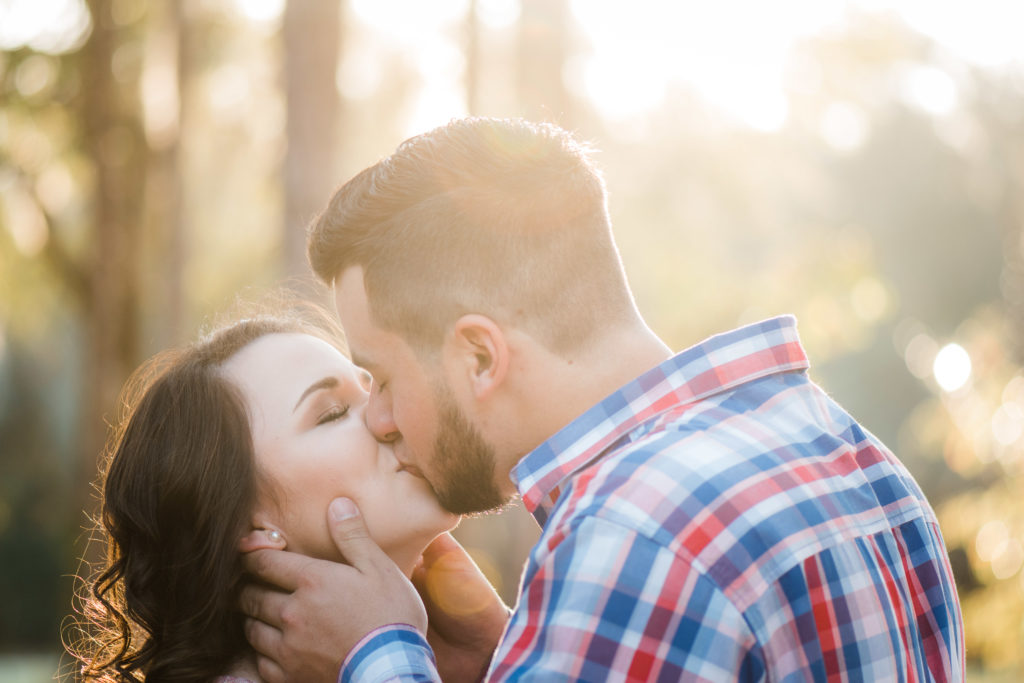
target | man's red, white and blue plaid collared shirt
x=721, y=519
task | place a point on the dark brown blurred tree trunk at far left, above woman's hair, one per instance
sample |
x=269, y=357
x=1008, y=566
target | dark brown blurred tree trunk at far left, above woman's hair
x=115, y=142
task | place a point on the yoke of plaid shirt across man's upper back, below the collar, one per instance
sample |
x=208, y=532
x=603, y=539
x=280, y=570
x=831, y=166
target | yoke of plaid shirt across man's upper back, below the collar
x=728, y=486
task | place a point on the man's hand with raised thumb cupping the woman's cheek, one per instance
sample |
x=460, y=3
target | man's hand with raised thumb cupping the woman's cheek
x=312, y=613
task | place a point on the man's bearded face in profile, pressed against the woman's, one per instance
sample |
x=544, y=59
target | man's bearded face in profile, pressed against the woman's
x=412, y=408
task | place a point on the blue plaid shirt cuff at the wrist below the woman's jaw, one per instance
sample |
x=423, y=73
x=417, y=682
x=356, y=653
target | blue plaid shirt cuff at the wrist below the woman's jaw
x=393, y=653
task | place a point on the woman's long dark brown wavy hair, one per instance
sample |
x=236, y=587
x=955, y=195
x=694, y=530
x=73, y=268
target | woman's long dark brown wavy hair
x=179, y=485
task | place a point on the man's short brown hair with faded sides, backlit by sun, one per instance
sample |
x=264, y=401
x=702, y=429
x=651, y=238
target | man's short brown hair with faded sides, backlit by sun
x=505, y=219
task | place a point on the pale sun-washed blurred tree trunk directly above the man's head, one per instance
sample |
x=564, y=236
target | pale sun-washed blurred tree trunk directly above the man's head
x=544, y=47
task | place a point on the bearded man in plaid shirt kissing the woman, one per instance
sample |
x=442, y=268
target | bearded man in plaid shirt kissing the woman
x=711, y=516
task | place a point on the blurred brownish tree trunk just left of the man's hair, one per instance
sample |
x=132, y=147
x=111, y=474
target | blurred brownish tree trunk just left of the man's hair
x=313, y=39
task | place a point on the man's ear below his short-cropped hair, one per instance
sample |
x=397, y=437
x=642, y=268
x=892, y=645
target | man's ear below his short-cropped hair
x=481, y=354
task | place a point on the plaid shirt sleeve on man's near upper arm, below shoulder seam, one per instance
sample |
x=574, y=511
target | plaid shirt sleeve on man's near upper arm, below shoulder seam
x=602, y=603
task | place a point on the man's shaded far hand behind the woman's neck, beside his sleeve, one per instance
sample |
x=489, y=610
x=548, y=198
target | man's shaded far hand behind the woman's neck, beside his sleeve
x=466, y=616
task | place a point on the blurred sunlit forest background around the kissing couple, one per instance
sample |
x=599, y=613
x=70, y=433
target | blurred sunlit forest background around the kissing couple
x=860, y=164
